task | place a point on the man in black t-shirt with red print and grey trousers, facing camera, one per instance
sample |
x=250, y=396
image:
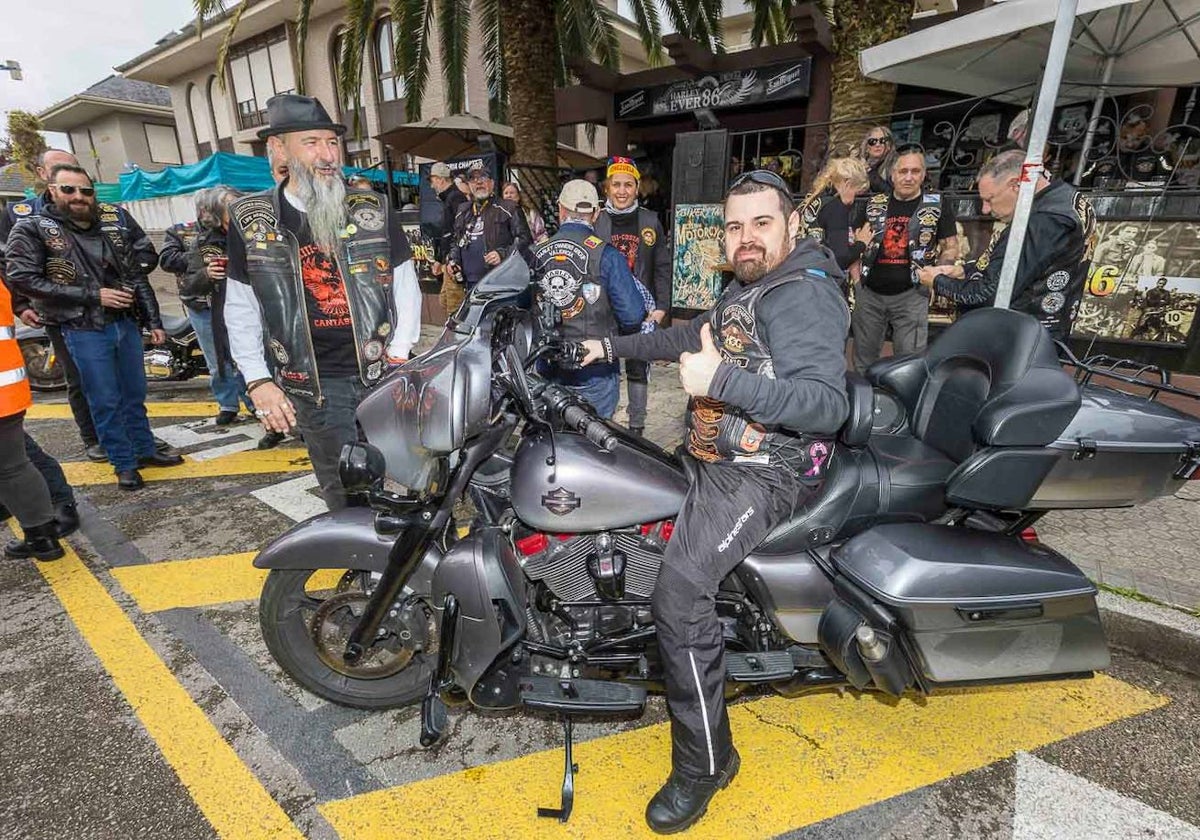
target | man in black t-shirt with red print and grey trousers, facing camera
x=908, y=230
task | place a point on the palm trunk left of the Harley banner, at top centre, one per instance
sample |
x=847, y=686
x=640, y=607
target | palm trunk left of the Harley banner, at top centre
x=530, y=49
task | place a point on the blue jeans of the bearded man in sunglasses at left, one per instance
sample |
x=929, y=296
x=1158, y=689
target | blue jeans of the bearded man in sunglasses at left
x=115, y=381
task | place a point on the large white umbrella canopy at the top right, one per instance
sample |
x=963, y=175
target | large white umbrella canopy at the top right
x=1151, y=44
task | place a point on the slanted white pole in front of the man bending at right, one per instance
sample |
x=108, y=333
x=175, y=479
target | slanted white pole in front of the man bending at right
x=1039, y=134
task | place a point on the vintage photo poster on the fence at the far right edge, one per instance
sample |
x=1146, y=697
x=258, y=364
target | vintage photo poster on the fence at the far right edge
x=1144, y=284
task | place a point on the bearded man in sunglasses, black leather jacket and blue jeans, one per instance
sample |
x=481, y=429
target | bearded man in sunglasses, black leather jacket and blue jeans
x=86, y=267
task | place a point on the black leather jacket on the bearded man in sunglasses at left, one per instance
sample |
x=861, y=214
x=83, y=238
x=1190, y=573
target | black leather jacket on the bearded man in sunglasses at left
x=62, y=268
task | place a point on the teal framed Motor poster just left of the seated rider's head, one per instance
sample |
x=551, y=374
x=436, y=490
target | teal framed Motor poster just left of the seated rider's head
x=699, y=255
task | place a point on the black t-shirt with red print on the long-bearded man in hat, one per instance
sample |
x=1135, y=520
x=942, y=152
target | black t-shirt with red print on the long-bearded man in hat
x=329, y=311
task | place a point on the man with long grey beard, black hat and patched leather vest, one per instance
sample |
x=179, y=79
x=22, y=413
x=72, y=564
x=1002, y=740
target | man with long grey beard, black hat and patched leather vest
x=323, y=290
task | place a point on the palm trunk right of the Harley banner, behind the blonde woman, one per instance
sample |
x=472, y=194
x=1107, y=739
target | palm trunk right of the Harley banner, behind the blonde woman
x=861, y=26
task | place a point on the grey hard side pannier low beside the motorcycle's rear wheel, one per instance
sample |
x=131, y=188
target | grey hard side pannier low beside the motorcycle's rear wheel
x=979, y=607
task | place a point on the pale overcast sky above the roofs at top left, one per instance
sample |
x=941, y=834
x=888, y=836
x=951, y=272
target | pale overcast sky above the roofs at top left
x=65, y=46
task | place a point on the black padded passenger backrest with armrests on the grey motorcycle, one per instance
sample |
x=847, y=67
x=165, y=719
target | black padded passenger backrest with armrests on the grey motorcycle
x=992, y=380
